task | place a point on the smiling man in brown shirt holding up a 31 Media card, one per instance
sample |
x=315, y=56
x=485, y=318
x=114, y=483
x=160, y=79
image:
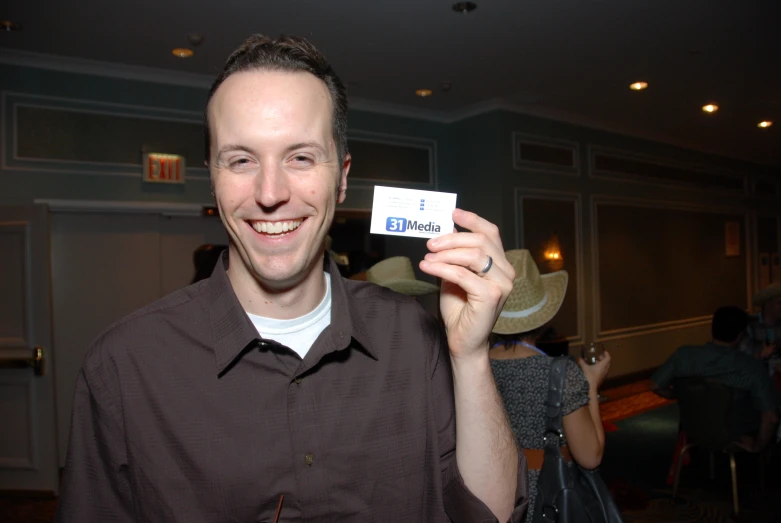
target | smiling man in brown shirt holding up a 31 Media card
x=276, y=387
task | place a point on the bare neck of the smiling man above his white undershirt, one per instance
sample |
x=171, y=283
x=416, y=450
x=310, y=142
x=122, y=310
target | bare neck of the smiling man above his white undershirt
x=282, y=304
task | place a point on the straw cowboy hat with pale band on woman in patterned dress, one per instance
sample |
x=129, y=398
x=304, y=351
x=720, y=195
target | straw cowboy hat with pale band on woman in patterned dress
x=534, y=300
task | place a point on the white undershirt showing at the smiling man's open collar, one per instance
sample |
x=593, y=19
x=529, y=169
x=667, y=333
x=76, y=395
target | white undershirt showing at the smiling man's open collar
x=299, y=333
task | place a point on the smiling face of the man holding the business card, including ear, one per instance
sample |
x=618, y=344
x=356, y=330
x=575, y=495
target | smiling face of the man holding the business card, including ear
x=275, y=173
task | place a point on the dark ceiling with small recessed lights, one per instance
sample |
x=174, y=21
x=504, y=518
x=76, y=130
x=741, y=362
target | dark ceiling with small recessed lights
x=570, y=60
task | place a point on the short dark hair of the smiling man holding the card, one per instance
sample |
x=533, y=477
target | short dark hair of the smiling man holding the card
x=291, y=54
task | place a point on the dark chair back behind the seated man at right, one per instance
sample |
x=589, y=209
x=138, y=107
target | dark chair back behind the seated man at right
x=706, y=411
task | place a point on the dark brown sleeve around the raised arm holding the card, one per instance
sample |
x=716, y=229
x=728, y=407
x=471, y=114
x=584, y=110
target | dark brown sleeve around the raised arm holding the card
x=461, y=505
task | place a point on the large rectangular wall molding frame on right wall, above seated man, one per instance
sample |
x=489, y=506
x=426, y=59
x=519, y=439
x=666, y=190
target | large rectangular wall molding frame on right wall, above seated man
x=640, y=330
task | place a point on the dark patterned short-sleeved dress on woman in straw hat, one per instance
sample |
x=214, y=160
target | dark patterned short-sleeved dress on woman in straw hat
x=523, y=385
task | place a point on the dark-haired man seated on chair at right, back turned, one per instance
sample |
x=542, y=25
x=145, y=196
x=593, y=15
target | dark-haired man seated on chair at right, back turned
x=755, y=415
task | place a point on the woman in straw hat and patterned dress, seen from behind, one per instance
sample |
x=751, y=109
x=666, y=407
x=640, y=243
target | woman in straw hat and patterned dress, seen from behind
x=521, y=372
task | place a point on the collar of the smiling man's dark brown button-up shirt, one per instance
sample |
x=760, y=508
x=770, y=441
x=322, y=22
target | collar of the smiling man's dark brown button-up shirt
x=233, y=332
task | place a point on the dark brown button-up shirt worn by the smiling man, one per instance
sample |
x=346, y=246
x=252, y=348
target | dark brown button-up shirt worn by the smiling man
x=183, y=413
